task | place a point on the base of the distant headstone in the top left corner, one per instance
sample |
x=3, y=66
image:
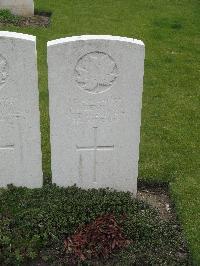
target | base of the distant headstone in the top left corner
x=18, y=7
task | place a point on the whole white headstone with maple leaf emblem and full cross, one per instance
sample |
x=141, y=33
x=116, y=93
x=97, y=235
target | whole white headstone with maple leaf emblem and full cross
x=95, y=86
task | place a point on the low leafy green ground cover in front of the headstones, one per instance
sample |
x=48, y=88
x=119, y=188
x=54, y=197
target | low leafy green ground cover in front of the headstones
x=57, y=226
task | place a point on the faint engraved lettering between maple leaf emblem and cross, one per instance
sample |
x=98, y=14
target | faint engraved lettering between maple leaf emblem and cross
x=105, y=110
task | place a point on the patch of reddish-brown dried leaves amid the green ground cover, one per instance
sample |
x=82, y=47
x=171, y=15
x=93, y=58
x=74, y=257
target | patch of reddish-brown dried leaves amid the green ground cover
x=97, y=239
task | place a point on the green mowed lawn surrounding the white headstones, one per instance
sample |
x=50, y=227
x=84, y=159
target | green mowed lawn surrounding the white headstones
x=170, y=133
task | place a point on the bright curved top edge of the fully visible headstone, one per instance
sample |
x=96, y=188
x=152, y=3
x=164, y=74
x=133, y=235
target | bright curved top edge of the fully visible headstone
x=95, y=37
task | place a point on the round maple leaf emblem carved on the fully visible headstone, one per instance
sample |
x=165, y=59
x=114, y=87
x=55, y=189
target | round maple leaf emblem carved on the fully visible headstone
x=95, y=72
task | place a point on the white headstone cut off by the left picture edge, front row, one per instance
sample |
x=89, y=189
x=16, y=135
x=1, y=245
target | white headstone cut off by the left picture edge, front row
x=20, y=142
